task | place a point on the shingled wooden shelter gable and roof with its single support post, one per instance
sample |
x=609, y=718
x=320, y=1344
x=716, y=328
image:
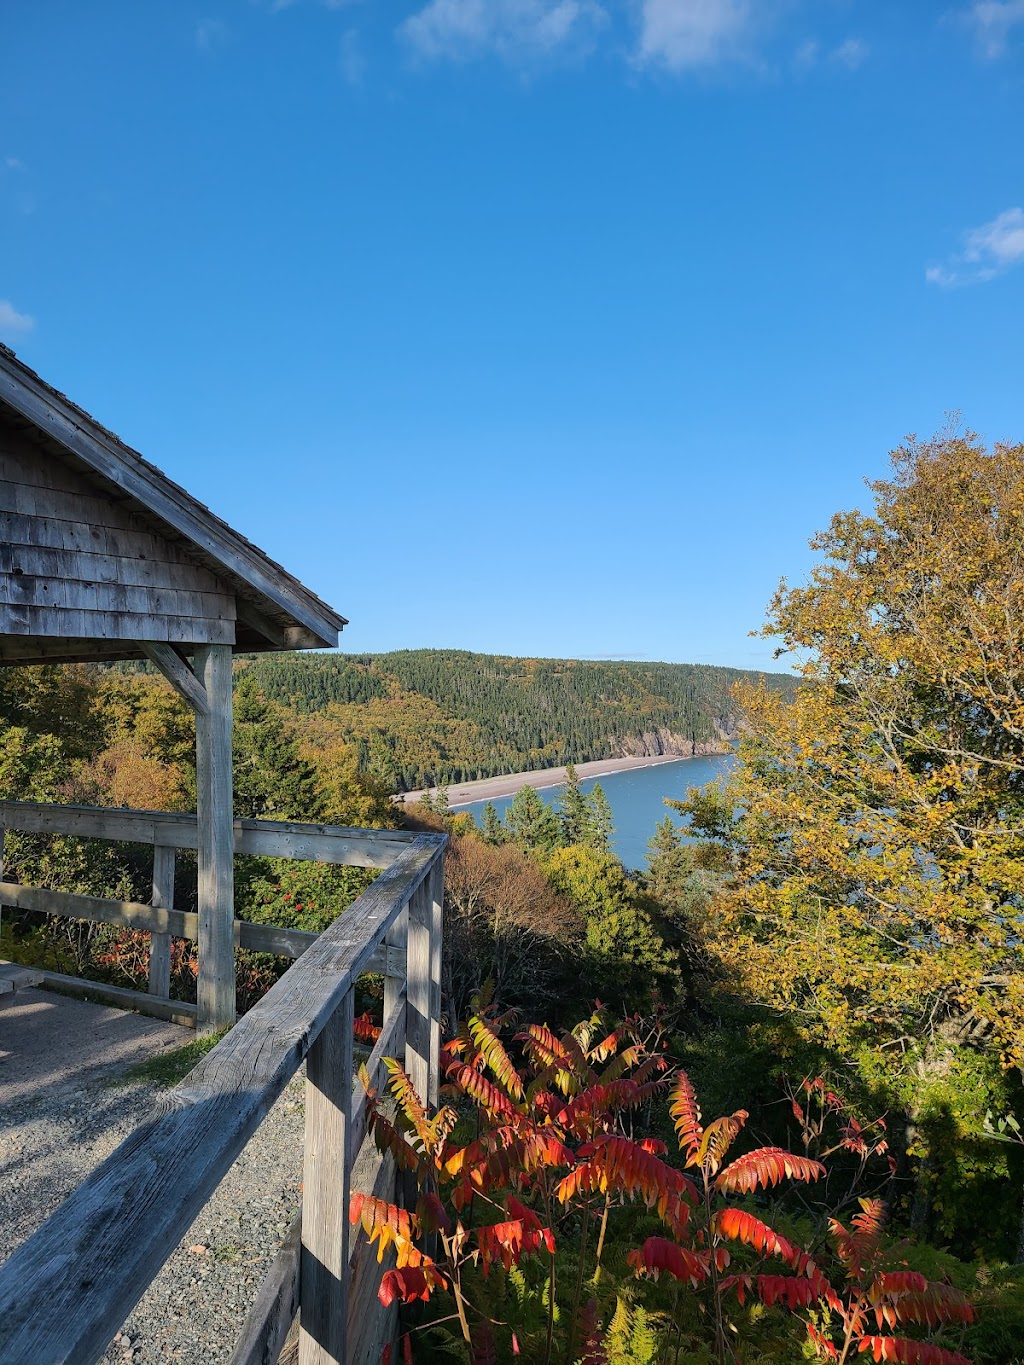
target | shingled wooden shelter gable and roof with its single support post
x=103, y=558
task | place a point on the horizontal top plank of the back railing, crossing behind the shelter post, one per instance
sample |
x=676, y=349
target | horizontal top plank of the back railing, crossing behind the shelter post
x=268, y=839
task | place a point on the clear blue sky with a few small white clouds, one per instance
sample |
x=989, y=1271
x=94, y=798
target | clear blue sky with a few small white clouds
x=535, y=327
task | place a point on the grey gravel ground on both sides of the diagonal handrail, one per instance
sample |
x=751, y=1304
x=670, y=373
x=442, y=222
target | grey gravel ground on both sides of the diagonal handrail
x=66, y=1105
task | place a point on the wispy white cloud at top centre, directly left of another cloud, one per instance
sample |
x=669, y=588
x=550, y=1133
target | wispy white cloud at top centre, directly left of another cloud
x=513, y=29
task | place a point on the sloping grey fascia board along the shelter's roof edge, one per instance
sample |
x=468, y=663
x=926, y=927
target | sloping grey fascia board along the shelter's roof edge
x=150, y=488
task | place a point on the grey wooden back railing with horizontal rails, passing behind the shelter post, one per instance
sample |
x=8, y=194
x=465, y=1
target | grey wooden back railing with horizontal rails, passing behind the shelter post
x=167, y=835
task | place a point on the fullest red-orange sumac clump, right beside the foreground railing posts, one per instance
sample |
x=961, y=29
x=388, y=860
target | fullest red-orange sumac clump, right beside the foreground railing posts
x=550, y=1136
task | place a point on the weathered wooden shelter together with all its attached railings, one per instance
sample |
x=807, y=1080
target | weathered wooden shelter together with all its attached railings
x=103, y=558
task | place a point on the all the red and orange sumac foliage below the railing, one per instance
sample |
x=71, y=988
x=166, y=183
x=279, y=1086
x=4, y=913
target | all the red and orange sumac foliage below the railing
x=545, y=1135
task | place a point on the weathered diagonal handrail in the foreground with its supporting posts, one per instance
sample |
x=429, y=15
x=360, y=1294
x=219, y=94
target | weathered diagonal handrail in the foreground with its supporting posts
x=66, y=1292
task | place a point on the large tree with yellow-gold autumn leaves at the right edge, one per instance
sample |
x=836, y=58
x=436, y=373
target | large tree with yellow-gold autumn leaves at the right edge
x=874, y=827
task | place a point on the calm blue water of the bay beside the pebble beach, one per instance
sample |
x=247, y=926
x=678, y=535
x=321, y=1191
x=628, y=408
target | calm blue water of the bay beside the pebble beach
x=637, y=799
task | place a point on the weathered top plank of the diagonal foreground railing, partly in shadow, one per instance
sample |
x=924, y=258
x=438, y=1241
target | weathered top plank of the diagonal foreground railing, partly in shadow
x=66, y=1291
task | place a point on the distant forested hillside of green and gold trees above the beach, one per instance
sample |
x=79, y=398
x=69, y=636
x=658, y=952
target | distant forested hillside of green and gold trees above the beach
x=424, y=717
